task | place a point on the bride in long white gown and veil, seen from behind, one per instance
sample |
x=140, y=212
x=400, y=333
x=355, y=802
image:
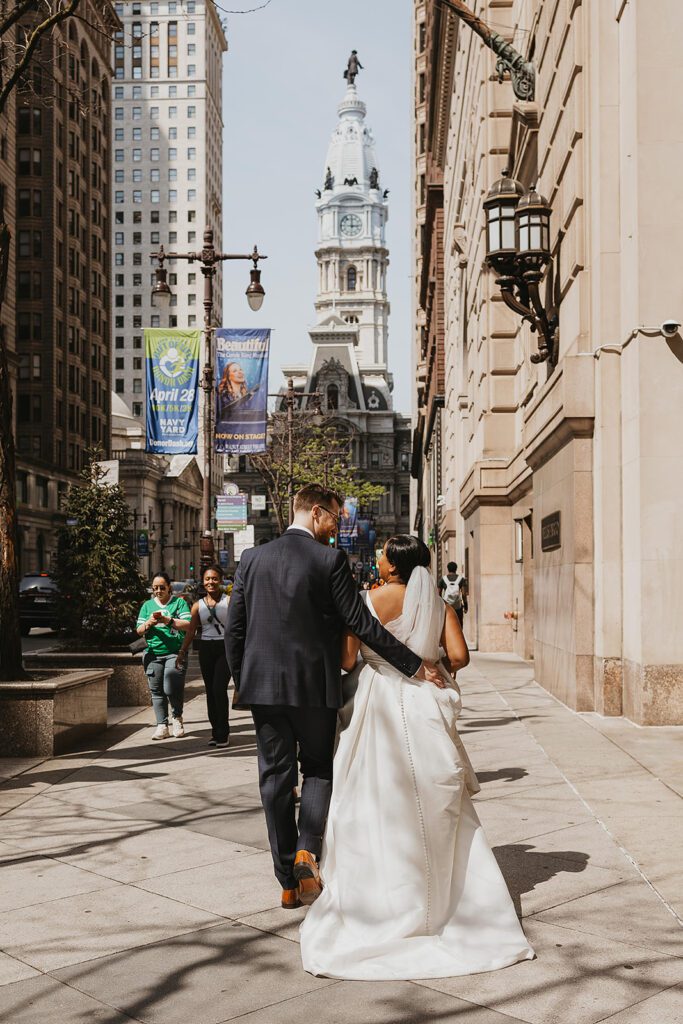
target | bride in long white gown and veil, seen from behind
x=412, y=889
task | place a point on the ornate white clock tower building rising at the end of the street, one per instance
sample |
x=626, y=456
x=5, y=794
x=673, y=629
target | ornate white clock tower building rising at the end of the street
x=349, y=370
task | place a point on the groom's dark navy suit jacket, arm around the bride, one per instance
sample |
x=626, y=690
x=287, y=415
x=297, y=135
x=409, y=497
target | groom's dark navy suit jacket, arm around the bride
x=291, y=602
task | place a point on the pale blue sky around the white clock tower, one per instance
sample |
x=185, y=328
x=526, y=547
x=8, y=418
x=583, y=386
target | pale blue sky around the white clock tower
x=282, y=84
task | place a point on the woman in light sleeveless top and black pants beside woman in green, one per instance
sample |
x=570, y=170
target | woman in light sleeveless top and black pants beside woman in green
x=210, y=614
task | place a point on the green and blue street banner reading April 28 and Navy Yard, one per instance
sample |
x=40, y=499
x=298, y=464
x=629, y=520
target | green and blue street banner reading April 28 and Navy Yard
x=173, y=362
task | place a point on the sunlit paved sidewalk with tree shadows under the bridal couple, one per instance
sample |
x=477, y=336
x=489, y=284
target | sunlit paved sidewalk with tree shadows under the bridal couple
x=137, y=884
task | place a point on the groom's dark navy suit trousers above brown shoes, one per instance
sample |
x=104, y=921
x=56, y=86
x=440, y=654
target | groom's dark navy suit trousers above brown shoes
x=281, y=732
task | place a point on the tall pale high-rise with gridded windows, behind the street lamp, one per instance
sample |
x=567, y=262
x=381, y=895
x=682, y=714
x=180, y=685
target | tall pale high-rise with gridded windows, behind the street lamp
x=167, y=170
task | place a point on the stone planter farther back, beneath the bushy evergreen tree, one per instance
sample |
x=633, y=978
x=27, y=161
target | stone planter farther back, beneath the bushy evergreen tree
x=127, y=687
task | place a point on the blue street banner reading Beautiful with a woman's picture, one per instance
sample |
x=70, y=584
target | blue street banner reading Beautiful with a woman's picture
x=242, y=390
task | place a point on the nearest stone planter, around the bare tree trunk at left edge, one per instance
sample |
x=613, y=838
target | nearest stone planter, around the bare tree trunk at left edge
x=52, y=716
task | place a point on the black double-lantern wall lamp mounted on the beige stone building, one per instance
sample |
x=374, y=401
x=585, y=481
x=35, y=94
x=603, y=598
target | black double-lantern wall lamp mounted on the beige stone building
x=519, y=250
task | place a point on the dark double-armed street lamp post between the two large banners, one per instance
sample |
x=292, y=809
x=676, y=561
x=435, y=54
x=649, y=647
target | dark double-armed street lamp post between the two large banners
x=208, y=259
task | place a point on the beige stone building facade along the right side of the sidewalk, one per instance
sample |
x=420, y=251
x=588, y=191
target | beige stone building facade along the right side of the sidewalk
x=558, y=483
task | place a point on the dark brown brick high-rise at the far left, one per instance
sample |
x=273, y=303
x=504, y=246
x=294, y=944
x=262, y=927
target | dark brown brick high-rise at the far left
x=62, y=257
